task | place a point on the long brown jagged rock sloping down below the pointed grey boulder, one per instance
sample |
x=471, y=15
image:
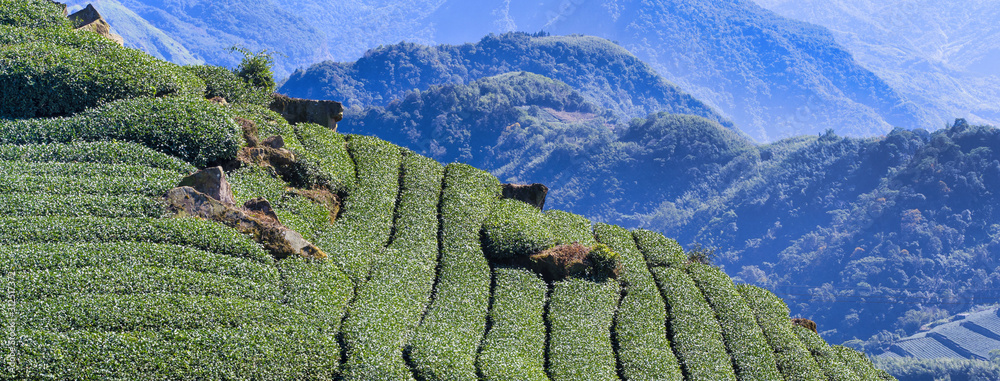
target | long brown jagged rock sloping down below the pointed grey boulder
x=279, y=240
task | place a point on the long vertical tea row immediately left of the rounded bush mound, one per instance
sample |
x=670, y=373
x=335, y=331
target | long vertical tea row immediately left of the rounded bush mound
x=445, y=344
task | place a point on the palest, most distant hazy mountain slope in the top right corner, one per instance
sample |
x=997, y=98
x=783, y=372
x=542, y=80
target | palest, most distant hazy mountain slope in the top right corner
x=942, y=55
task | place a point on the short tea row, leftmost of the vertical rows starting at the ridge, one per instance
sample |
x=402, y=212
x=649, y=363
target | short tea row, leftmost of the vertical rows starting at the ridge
x=365, y=222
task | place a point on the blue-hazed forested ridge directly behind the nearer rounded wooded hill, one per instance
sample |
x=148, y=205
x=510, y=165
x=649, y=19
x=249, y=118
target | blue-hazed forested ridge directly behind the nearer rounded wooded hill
x=602, y=71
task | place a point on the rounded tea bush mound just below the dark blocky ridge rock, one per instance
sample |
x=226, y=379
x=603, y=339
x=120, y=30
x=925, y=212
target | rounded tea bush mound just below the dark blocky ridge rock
x=515, y=229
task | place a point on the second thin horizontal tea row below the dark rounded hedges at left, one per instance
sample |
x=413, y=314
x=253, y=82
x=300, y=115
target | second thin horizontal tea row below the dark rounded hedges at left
x=82, y=170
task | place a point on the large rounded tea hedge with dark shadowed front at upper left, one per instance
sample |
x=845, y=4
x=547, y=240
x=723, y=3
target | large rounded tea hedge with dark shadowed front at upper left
x=41, y=78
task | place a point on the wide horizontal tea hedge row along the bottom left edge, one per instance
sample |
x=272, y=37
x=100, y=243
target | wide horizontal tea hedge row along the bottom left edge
x=259, y=353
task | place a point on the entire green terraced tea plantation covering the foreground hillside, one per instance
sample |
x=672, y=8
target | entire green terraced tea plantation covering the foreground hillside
x=427, y=274
